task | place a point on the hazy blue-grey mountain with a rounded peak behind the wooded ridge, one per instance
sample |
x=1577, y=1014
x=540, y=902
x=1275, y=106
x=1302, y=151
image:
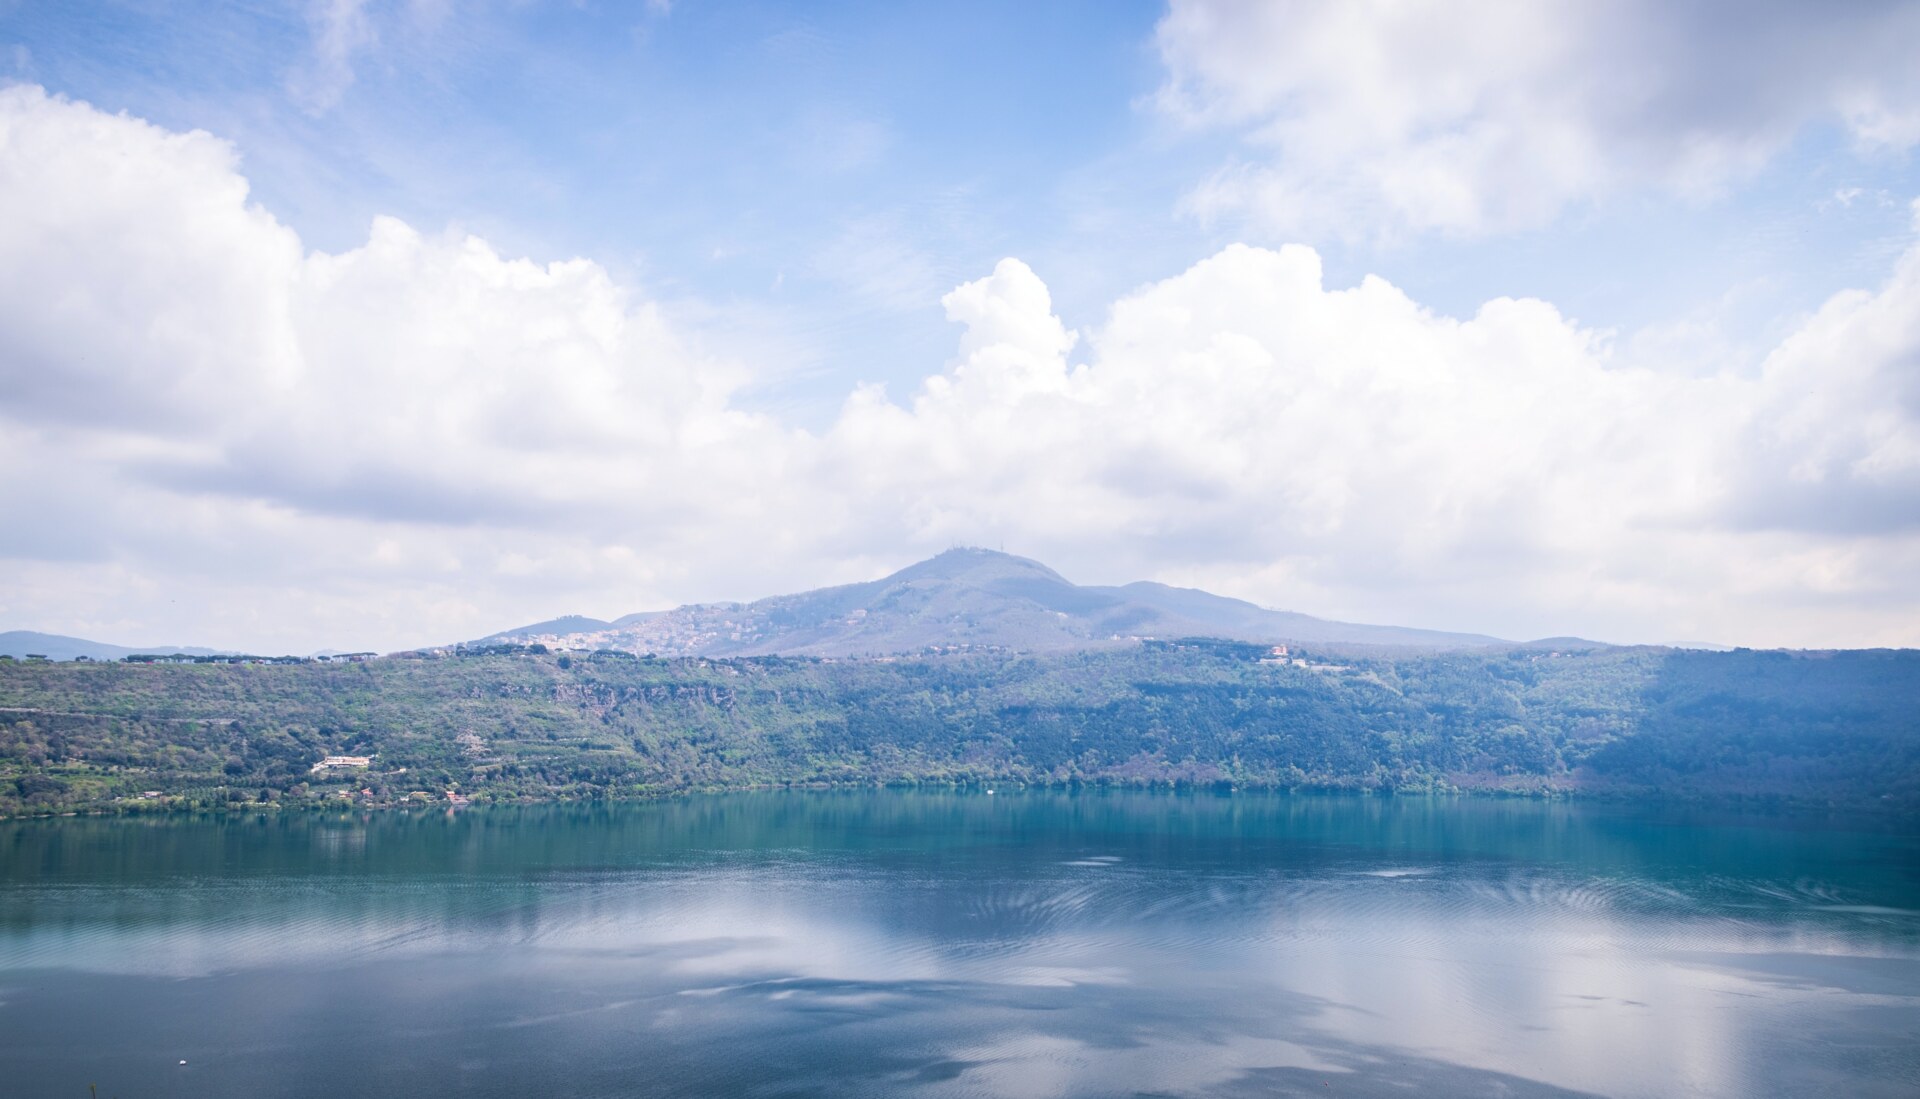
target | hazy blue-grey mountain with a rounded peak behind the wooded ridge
x=965, y=598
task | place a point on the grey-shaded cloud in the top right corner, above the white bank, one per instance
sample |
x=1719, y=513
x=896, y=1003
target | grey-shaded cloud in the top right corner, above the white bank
x=1483, y=116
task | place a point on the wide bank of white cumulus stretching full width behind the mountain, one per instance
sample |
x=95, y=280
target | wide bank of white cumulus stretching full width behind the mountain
x=210, y=433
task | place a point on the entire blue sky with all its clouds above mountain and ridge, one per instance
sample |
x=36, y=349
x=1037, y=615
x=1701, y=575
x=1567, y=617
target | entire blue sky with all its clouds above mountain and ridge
x=370, y=326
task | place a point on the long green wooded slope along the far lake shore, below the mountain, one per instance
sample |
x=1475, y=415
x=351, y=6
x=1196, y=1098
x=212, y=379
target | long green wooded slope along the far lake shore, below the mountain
x=517, y=723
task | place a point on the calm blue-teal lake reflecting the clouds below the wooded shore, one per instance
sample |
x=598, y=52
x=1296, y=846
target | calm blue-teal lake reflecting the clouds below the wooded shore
x=963, y=944
